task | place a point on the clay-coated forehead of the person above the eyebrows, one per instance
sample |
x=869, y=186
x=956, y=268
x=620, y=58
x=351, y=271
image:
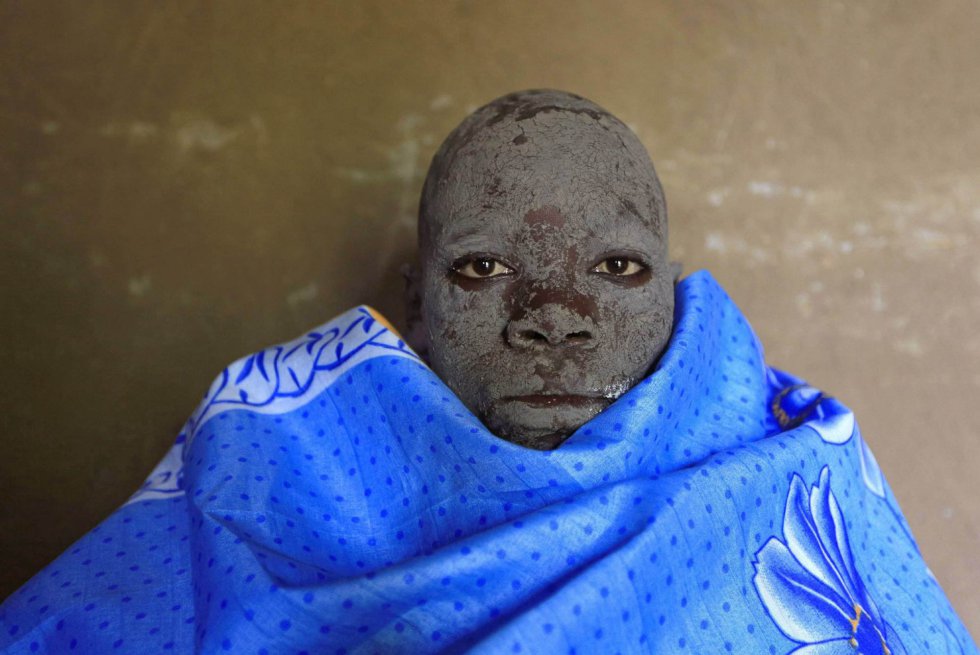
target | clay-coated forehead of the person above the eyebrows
x=598, y=176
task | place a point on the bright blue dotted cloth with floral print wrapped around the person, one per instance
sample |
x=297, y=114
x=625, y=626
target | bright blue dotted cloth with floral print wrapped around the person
x=331, y=495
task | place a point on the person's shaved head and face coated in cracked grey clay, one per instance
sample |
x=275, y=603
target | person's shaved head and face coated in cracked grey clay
x=544, y=291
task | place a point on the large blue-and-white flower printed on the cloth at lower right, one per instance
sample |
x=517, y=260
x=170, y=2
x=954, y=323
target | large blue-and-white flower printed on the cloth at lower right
x=809, y=585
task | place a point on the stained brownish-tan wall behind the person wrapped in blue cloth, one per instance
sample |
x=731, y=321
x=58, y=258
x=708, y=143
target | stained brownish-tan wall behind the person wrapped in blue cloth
x=182, y=183
